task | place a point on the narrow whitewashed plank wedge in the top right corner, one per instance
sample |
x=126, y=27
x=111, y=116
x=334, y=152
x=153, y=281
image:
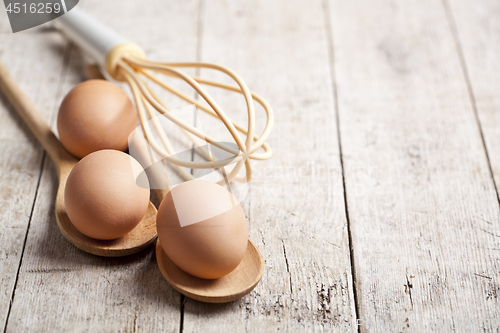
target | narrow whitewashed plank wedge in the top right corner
x=478, y=36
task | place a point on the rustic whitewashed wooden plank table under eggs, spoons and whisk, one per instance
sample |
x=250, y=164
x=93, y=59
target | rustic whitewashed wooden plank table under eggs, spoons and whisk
x=378, y=212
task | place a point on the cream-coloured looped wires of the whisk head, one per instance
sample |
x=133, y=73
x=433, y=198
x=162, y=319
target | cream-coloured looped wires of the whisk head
x=131, y=67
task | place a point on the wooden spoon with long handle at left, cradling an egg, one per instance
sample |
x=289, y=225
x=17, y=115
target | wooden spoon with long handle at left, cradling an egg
x=136, y=240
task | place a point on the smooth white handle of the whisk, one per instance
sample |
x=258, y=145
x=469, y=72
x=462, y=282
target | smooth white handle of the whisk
x=96, y=39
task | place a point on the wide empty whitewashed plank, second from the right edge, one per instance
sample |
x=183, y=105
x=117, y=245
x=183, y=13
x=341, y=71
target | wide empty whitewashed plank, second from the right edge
x=422, y=204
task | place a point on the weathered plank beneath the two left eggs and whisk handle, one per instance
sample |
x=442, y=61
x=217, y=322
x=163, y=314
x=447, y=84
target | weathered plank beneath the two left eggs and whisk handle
x=61, y=288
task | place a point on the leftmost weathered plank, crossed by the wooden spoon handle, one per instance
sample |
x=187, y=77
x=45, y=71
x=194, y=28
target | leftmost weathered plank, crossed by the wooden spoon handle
x=21, y=161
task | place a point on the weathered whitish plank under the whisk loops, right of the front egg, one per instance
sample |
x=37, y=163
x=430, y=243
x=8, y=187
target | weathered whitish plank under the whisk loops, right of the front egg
x=295, y=208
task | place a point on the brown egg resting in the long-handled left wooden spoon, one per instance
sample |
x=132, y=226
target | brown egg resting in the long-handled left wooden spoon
x=101, y=196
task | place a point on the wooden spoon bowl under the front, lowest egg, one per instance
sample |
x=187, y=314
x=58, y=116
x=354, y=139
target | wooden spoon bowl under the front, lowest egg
x=228, y=288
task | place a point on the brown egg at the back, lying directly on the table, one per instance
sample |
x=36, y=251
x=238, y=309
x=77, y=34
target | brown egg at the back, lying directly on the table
x=95, y=115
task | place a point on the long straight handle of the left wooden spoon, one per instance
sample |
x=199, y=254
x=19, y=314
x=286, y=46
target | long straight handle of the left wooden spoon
x=30, y=115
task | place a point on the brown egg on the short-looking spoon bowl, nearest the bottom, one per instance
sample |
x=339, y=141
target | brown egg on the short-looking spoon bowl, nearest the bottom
x=202, y=229
